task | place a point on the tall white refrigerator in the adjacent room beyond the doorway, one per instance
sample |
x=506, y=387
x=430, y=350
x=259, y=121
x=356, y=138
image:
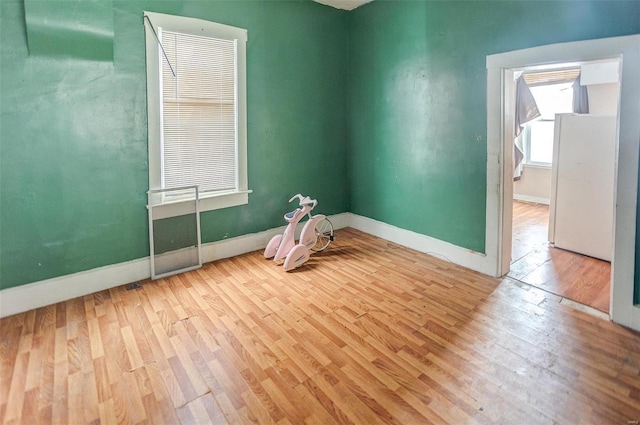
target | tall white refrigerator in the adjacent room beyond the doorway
x=582, y=184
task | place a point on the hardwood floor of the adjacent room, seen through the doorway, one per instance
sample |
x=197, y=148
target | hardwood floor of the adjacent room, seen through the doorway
x=577, y=277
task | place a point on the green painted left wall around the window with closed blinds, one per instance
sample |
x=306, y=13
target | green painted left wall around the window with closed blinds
x=73, y=145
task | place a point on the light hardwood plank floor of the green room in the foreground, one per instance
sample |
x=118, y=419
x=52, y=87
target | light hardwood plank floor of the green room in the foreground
x=367, y=332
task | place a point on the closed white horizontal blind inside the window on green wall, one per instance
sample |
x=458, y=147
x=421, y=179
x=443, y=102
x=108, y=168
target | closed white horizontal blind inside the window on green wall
x=199, y=112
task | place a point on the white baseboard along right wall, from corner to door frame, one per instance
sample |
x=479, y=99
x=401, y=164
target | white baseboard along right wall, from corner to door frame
x=455, y=254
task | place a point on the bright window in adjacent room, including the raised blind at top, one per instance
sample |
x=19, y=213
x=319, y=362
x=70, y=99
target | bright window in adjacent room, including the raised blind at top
x=553, y=93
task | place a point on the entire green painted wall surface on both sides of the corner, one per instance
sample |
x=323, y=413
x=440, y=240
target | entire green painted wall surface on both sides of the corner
x=380, y=111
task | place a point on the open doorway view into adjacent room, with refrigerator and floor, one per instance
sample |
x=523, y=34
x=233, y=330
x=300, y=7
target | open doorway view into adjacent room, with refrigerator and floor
x=578, y=268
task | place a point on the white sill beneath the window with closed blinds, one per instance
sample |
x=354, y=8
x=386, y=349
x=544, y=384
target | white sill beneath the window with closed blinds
x=210, y=202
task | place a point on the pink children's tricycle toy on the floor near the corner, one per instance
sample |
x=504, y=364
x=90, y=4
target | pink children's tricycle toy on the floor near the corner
x=316, y=235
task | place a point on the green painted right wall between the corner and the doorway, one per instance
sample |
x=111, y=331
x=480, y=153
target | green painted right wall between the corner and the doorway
x=417, y=101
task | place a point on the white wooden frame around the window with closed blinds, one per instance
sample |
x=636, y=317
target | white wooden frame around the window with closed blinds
x=154, y=58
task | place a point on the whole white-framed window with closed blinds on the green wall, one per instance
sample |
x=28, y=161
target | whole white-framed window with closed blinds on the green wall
x=196, y=97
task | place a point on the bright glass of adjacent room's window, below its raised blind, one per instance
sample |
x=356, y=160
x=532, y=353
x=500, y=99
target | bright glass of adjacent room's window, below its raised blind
x=538, y=134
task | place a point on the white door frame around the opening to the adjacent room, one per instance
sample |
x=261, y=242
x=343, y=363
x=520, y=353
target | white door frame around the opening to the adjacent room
x=499, y=159
